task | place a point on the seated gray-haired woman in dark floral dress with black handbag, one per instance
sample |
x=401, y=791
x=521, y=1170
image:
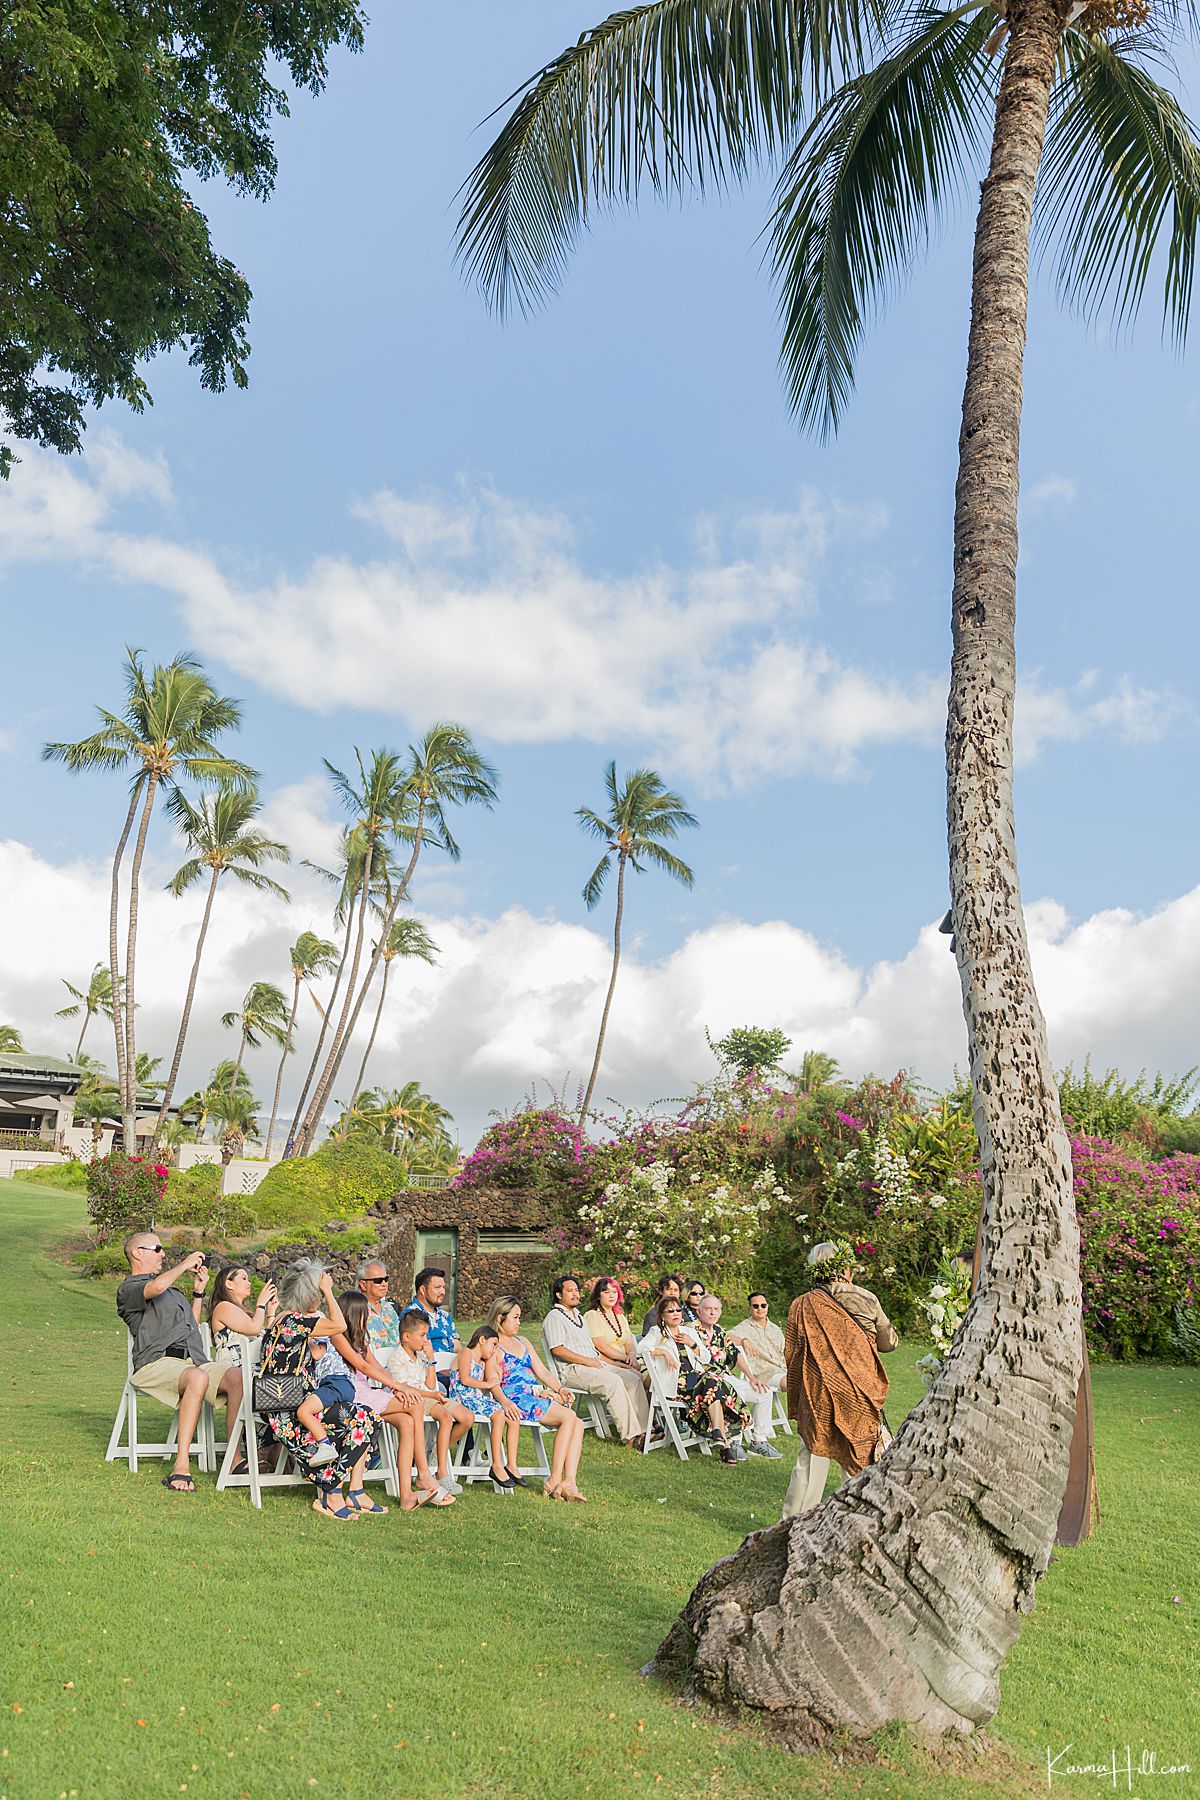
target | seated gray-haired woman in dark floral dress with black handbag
x=310, y=1313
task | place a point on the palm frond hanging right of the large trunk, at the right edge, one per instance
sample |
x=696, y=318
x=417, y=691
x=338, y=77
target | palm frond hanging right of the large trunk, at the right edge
x=1122, y=159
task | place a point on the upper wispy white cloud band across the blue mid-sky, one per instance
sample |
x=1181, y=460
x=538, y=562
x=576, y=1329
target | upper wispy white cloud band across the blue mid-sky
x=483, y=609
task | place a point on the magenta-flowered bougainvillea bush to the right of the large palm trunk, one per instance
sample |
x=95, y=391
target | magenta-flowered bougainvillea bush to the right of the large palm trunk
x=1140, y=1225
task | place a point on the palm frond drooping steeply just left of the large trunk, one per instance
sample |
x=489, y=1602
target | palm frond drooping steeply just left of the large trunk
x=864, y=190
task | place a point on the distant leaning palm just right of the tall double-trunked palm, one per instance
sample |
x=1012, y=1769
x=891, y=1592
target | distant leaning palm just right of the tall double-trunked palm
x=222, y=841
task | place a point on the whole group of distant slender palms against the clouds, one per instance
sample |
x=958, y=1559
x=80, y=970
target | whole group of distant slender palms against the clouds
x=170, y=739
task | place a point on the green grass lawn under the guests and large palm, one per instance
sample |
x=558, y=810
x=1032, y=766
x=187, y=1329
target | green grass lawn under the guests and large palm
x=193, y=1646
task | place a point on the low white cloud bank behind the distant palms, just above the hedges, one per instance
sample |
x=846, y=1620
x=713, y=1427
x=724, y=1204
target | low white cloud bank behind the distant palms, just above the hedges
x=517, y=998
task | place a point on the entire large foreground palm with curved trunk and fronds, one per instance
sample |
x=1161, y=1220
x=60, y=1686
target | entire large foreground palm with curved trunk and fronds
x=908, y=107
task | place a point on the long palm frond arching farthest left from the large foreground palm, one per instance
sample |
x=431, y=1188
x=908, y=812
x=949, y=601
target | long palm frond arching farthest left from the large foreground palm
x=668, y=96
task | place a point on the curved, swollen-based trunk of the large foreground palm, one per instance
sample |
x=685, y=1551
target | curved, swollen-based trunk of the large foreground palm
x=900, y=1597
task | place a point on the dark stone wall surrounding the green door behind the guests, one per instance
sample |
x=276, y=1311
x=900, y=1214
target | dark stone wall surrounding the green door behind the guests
x=483, y=1275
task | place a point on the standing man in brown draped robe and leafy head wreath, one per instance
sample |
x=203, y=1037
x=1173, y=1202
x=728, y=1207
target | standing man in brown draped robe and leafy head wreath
x=837, y=1385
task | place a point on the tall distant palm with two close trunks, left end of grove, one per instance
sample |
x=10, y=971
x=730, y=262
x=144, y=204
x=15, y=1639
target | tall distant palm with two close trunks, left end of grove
x=166, y=732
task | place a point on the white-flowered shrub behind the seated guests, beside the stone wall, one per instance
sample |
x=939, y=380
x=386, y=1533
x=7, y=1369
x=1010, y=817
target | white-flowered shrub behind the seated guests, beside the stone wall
x=659, y=1219
